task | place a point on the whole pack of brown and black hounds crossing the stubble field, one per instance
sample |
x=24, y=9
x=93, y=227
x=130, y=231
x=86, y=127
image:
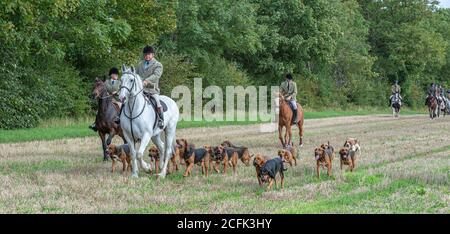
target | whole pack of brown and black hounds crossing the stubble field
x=219, y=158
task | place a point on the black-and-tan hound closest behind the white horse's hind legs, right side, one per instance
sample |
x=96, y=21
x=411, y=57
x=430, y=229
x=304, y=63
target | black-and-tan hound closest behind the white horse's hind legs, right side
x=200, y=156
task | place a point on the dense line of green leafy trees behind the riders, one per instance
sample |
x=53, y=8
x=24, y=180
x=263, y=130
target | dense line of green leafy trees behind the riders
x=342, y=53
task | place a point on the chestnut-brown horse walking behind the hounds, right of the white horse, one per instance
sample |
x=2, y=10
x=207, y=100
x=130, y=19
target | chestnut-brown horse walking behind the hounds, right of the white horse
x=285, y=121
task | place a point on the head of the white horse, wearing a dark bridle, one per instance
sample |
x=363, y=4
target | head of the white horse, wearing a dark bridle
x=131, y=83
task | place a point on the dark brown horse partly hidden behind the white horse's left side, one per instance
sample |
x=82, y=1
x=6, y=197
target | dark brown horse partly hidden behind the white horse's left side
x=107, y=111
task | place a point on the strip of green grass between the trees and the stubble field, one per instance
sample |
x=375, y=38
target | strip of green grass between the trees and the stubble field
x=70, y=128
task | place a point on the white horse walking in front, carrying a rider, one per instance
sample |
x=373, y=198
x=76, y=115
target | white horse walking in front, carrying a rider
x=138, y=122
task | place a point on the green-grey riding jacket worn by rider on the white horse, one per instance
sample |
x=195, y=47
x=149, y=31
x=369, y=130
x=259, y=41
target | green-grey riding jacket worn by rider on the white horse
x=151, y=74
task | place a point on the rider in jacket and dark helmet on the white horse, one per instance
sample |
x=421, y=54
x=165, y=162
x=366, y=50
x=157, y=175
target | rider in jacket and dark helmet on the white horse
x=150, y=71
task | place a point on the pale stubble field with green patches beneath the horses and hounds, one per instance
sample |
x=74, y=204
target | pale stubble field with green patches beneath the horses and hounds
x=404, y=168
